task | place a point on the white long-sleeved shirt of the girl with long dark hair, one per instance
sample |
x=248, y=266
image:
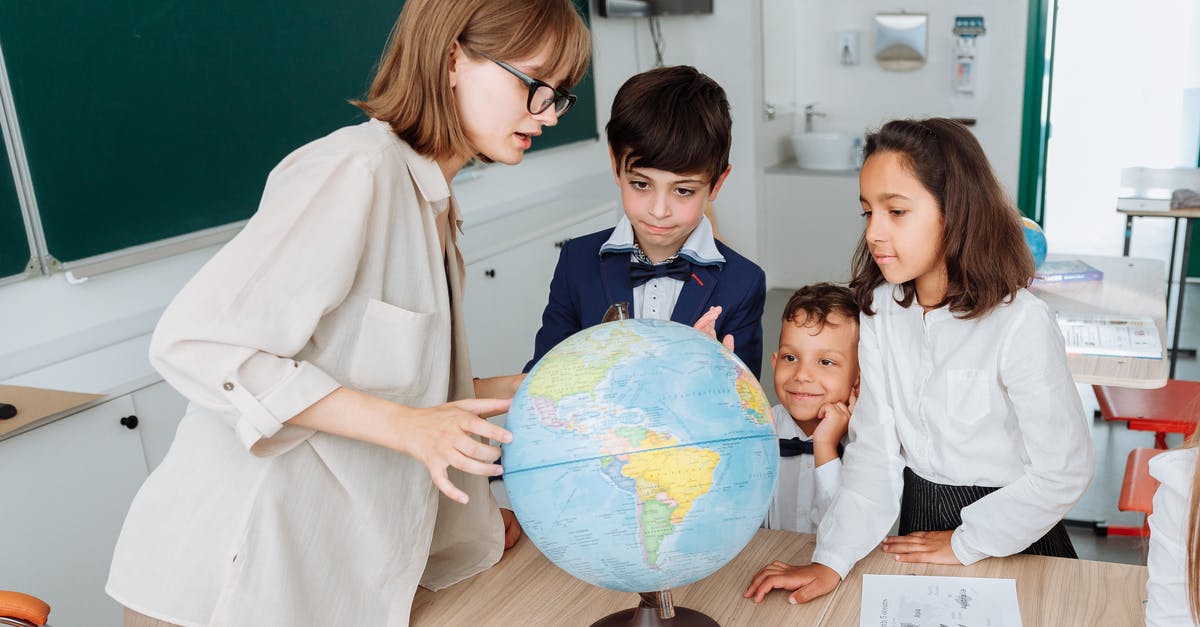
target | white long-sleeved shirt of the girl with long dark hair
x=987, y=402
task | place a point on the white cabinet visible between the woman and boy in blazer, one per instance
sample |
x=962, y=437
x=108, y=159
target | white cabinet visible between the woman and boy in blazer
x=508, y=284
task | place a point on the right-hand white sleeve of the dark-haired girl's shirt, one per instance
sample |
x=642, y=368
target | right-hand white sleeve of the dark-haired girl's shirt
x=1055, y=435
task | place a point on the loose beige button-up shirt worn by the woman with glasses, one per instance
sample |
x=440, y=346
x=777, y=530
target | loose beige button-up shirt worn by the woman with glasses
x=340, y=279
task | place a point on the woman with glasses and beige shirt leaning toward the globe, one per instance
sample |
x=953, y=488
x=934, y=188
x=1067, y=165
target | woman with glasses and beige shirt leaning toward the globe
x=325, y=355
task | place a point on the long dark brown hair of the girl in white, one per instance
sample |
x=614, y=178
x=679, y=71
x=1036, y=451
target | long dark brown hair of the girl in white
x=987, y=258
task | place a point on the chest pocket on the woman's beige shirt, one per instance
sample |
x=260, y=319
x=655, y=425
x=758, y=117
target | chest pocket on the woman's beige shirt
x=392, y=354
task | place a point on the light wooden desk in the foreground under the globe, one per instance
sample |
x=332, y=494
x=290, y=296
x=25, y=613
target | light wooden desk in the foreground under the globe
x=526, y=589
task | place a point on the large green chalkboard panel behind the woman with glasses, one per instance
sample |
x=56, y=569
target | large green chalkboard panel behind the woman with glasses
x=147, y=120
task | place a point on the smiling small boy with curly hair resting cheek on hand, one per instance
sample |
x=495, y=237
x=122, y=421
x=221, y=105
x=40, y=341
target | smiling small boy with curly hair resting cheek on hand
x=817, y=378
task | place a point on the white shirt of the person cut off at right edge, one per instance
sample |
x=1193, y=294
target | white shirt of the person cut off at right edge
x=1168, y=586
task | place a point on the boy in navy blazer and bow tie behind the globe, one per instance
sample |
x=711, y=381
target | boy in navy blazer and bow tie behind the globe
x=669, y=142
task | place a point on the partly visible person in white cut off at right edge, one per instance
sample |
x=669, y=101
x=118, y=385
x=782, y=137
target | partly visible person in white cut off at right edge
x=1174, y=562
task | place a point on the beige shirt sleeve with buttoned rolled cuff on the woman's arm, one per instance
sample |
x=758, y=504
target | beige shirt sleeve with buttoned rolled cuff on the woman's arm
x=230, y=338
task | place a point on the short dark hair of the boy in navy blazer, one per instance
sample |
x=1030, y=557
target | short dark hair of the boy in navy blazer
x=674, y=120
